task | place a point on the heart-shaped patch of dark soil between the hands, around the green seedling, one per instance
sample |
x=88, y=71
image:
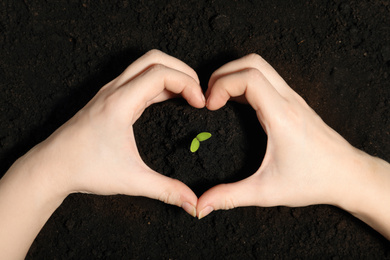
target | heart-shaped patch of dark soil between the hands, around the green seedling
x=235, y=151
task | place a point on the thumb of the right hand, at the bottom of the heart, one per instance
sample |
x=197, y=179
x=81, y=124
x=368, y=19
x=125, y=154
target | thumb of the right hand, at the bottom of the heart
x=229, y=196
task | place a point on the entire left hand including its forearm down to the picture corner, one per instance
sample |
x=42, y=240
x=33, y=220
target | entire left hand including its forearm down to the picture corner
x=95, y=152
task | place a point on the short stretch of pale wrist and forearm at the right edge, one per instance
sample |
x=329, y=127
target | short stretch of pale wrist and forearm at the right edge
x=370, y=196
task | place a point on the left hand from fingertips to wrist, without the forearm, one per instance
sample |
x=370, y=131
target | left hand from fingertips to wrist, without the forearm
x=96, y=151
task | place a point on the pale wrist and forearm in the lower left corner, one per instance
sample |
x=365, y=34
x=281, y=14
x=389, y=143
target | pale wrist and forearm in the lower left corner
x=27, y=200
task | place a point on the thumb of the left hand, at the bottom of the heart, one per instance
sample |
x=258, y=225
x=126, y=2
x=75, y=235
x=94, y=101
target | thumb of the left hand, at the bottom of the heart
x=171, y=191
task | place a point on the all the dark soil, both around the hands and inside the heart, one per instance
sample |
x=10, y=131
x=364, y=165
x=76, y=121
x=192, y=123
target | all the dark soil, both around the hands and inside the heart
x=55, y=55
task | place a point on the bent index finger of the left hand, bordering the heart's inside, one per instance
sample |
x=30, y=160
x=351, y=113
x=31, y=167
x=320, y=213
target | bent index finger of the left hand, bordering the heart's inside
x=156, y=84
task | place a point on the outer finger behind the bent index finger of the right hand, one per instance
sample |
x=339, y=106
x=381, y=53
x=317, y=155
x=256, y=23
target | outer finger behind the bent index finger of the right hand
x=257, y=62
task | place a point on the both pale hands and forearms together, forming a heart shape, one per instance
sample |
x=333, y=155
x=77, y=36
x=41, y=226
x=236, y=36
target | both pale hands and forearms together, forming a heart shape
x=95, y=152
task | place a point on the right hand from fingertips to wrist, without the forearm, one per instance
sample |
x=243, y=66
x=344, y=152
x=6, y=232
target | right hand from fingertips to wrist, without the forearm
x=306, y=162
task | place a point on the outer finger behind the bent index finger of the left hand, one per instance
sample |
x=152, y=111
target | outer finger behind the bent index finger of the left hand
x=151, y=58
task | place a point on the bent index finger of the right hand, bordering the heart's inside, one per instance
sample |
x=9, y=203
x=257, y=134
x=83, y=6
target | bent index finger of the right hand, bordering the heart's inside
x=252, y=84
